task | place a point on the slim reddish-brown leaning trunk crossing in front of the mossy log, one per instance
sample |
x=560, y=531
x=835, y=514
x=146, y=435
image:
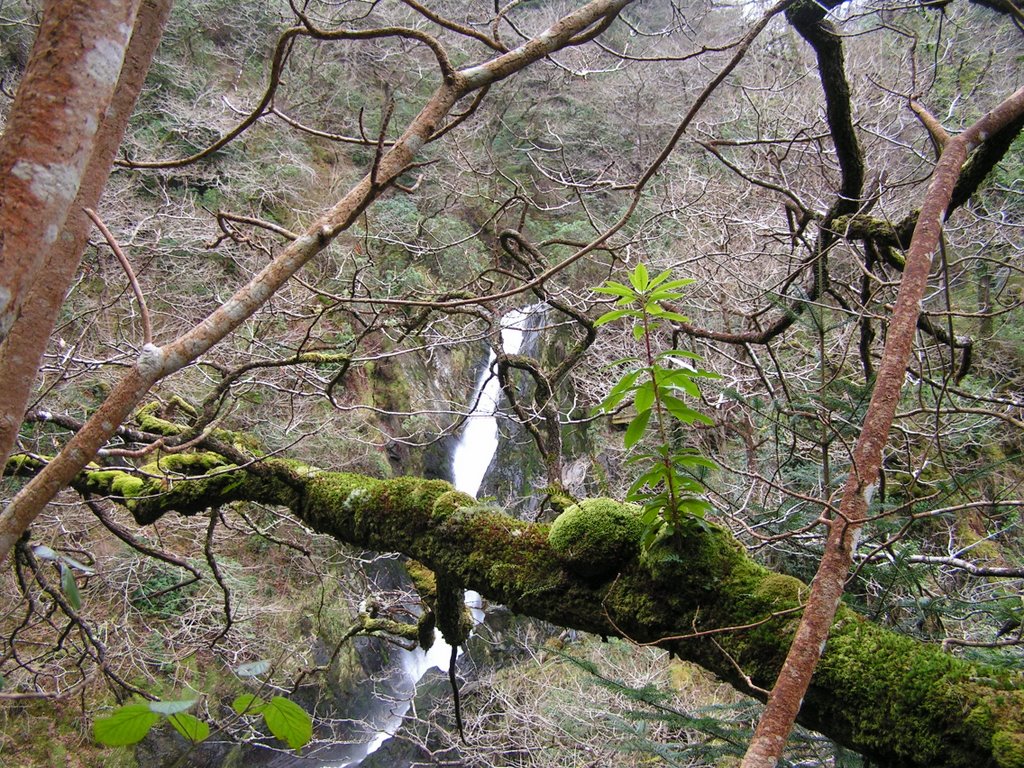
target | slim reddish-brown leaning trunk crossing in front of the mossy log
x=829, y=585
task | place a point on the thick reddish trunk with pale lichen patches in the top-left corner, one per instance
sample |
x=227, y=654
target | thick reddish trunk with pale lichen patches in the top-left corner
x=68, y=86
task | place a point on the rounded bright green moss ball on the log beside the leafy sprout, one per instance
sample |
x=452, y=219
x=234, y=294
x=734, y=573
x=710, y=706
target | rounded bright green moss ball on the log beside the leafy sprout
x=595, y=536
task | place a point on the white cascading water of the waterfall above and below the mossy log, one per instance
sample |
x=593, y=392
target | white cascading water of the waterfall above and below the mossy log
x=471, y=460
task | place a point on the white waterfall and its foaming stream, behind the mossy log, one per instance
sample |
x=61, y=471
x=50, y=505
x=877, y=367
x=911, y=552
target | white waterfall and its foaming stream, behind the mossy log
x=471, y=460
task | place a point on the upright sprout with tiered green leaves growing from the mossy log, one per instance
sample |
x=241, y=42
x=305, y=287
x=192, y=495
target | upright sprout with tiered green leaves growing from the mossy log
x=657, y=383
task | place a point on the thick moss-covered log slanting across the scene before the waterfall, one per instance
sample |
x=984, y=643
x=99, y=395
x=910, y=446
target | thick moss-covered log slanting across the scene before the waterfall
x=900, y=702
